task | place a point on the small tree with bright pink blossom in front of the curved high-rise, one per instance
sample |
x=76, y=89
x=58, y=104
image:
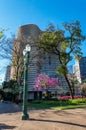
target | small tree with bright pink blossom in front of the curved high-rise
x=44, y=81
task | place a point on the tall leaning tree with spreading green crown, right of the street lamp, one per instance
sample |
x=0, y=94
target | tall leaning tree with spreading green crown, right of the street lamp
x=63, y=43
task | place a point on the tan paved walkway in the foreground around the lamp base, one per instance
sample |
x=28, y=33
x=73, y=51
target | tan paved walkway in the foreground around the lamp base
x=47, y=119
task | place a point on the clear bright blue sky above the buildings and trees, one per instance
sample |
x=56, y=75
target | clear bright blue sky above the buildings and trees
x=15, y=13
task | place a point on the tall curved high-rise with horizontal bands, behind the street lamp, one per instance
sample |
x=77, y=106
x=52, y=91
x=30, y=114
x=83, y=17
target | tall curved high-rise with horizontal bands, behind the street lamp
x=40, y=62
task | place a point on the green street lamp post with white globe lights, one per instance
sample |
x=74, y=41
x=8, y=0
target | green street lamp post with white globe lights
x=26, y=53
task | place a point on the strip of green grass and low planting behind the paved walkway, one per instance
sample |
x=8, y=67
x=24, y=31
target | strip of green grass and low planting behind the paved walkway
x=60, y=104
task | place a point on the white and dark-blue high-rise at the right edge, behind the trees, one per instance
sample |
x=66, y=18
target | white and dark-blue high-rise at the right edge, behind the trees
x=80, y=69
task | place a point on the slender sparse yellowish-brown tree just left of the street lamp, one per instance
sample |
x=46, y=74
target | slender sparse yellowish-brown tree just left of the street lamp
x=17, y=63
